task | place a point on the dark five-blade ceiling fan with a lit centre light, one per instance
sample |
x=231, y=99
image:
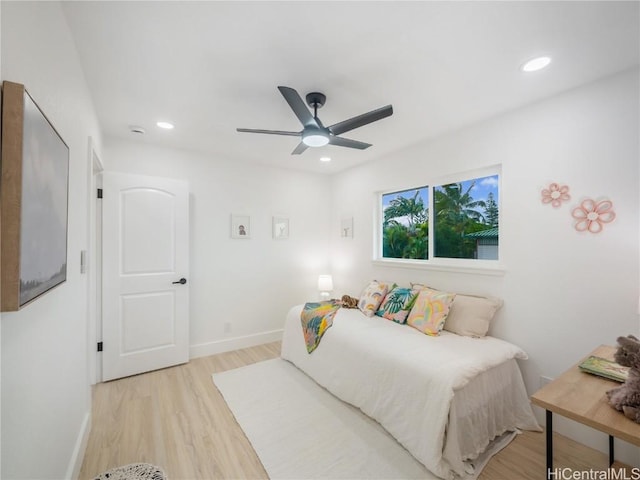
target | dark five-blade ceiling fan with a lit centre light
x=314, y=133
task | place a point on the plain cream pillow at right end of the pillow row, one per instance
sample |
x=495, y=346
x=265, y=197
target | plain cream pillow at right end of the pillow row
x=471, y=315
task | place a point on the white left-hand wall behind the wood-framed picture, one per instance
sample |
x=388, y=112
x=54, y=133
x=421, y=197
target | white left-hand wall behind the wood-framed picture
x=46, y=399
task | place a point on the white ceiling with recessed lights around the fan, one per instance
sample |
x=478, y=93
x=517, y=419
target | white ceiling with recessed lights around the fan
x=210, y=67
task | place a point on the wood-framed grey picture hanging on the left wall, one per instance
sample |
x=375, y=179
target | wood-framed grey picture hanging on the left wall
x=34, y=196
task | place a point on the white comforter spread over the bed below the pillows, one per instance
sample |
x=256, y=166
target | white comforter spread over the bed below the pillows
x=399, y=376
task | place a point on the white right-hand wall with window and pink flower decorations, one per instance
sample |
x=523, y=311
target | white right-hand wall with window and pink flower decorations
x=565, y=292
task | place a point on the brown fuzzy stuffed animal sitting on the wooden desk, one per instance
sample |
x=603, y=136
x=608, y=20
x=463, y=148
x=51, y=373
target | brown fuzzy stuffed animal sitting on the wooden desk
x=626, y=397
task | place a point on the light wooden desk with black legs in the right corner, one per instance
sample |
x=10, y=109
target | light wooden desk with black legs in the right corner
x=582, y=397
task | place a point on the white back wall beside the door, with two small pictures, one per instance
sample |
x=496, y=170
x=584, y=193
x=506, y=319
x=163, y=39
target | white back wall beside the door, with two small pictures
x=250, y=283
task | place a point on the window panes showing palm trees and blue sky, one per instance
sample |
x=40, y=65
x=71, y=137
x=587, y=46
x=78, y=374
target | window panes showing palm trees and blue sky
x=464, y=223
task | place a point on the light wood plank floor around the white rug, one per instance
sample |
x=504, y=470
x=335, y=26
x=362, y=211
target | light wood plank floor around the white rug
x=175, y=418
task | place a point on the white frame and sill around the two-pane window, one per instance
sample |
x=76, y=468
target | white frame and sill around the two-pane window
x=464, y=265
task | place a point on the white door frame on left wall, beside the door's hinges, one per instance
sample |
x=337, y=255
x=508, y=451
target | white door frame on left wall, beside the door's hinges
x=93, y=263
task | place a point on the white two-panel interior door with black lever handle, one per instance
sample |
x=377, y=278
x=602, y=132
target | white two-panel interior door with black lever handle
x=145, y=254
